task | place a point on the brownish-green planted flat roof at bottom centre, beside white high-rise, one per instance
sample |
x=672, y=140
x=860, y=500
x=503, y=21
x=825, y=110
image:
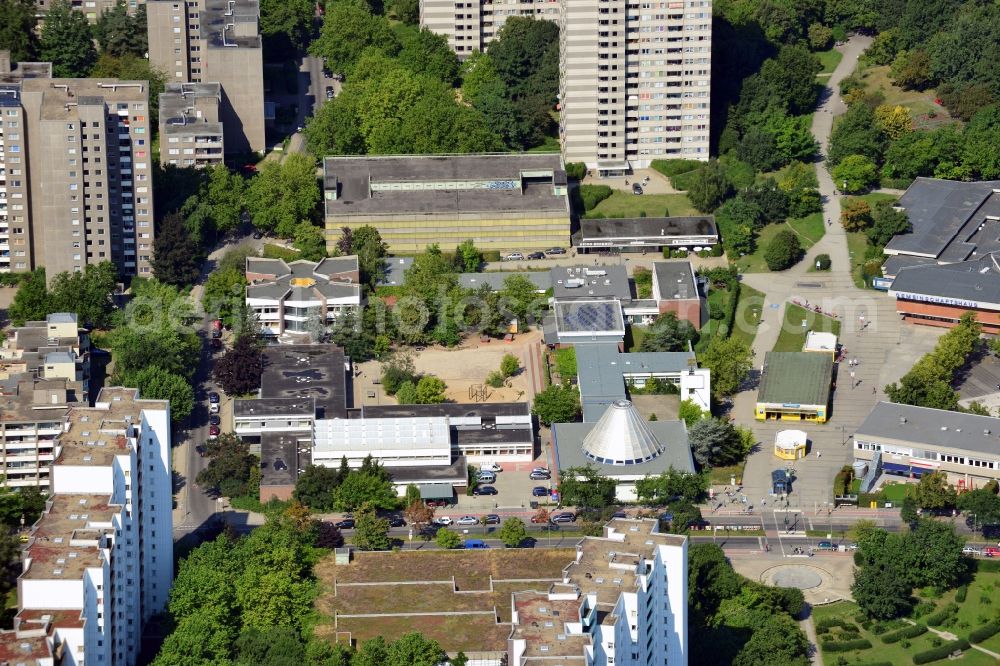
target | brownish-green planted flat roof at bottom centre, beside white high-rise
x=471, y=570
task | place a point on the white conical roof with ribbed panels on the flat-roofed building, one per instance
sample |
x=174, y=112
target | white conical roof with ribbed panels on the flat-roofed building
x=621, y=437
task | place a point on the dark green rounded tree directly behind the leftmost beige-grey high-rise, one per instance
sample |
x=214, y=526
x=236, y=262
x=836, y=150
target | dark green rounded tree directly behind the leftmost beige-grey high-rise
x=67, y=42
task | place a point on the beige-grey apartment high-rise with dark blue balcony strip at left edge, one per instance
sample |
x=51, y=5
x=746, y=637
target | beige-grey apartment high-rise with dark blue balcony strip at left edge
x=75, y=162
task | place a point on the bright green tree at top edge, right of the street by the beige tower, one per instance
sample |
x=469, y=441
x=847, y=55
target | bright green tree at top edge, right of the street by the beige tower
x=348, y=29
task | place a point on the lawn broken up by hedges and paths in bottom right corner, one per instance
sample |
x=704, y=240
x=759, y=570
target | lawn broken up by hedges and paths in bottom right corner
x=977, y=610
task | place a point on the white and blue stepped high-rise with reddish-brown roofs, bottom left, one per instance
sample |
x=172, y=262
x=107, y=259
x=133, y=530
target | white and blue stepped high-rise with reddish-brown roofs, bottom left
x=99, y=562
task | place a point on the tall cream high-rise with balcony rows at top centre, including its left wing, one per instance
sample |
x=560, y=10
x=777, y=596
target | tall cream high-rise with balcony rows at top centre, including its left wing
x=635, y=81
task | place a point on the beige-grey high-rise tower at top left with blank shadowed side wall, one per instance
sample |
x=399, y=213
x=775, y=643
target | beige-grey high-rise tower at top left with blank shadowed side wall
x=215, y=41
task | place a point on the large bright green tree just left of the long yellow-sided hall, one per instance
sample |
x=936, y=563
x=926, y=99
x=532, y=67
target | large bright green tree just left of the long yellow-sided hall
x=284, y=194
